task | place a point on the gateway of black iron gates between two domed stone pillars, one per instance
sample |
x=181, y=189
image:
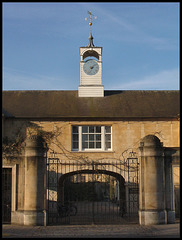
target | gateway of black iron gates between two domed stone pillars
x=103, y=191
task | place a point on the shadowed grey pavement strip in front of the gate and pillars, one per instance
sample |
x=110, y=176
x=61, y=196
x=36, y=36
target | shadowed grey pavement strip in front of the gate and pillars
x=92, y=231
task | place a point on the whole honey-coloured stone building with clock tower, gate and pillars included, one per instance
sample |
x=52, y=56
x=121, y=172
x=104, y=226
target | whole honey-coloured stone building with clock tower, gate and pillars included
x=90, y=156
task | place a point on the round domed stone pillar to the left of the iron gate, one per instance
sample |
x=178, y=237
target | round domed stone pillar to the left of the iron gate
x=35, y=170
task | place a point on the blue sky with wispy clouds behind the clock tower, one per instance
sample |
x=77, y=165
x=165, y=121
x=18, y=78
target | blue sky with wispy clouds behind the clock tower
x=41, y=44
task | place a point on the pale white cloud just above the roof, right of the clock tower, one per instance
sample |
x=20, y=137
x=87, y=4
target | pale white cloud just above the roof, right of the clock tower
x=164, y=80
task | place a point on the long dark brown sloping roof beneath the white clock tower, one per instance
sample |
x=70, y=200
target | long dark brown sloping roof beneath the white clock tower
x=114, y=105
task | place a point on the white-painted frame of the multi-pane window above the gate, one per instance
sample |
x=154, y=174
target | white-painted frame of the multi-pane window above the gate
x=80, y=135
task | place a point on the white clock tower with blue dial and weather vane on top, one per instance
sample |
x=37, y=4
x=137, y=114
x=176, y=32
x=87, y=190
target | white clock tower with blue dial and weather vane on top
x=90, y=69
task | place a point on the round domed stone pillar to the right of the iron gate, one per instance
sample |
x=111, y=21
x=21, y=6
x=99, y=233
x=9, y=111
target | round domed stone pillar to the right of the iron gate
x=152, y=182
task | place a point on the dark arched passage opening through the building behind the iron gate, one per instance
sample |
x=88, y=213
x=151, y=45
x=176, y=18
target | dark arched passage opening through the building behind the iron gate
x=95, y=209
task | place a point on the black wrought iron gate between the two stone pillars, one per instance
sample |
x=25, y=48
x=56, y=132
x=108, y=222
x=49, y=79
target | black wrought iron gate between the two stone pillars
x=92, y=192
